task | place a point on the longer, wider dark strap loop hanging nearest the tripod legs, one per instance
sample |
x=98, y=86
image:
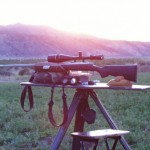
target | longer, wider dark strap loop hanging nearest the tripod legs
x=65, y=109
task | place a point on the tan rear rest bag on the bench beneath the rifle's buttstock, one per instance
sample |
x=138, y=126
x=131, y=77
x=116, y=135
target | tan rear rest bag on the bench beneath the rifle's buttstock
x=119, y=81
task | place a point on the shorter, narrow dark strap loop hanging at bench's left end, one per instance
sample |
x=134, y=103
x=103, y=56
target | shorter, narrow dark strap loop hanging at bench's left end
x=27, y=89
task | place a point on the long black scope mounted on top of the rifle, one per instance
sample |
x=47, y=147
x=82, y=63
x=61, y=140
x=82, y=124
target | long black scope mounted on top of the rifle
x=58, y=58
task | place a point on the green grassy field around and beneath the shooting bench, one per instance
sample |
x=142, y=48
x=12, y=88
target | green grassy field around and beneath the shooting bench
x=32, y=130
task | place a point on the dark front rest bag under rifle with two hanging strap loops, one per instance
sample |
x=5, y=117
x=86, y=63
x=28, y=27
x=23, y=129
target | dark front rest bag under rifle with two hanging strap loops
x=28, y=89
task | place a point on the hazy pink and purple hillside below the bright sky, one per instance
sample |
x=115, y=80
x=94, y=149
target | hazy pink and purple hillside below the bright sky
x=23, y=41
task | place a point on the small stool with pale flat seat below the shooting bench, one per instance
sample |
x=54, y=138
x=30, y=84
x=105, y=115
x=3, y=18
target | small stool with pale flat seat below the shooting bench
x=94, y=136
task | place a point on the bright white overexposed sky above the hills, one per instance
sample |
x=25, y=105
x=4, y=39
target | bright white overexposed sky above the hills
x=110, y=19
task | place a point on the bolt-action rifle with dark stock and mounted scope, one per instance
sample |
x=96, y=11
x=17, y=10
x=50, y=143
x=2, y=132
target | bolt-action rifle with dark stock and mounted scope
x=58, y=64
